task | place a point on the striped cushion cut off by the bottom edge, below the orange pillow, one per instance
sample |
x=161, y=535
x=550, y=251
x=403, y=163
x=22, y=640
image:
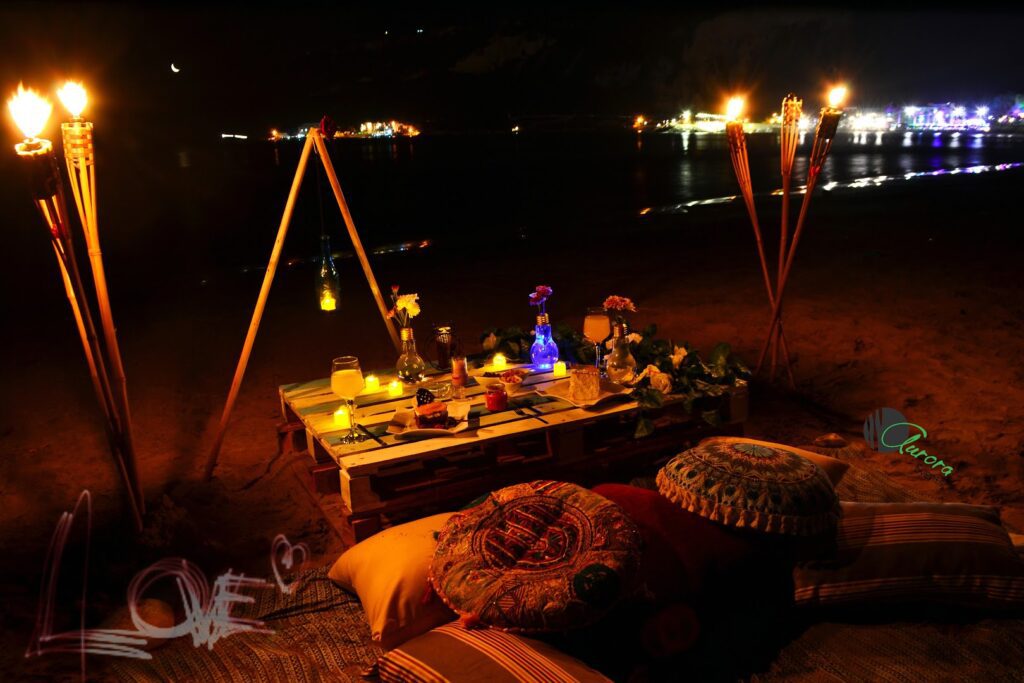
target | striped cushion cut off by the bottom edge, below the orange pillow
x=453, y=654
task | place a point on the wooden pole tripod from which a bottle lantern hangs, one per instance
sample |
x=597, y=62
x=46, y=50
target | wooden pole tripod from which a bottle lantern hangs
x=314, y=139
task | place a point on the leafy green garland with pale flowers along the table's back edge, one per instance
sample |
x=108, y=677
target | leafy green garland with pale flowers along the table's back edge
x=705, y=387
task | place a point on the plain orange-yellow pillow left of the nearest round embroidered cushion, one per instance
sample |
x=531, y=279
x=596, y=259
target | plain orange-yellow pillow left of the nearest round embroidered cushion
x=389, y=572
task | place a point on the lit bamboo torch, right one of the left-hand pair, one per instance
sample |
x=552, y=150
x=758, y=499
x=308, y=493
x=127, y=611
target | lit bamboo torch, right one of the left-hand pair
x=81, y=162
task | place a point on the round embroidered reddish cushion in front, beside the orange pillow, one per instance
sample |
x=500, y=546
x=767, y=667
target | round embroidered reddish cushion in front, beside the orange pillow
x=536, y=558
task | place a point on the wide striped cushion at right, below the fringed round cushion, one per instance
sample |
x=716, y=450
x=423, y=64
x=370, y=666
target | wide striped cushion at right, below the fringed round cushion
x=917, y=552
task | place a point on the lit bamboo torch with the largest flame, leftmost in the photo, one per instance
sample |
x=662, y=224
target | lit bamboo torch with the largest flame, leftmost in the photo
x=31, y=113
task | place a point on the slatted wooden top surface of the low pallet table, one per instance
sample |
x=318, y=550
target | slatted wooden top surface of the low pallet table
x=315, y=404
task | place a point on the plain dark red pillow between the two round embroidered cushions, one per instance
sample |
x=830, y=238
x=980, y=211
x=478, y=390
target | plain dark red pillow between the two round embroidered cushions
x=681, y=550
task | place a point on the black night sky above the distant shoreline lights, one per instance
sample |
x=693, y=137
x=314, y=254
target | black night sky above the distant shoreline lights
x=248, y=69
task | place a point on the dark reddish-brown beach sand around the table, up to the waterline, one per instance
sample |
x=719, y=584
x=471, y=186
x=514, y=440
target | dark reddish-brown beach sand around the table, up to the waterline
x=910, y=298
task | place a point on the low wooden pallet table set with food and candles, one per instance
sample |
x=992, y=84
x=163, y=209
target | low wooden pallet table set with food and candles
x=395, y=479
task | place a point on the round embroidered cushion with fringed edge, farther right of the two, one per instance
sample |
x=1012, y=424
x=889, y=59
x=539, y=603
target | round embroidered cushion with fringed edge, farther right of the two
x=764, y=488
